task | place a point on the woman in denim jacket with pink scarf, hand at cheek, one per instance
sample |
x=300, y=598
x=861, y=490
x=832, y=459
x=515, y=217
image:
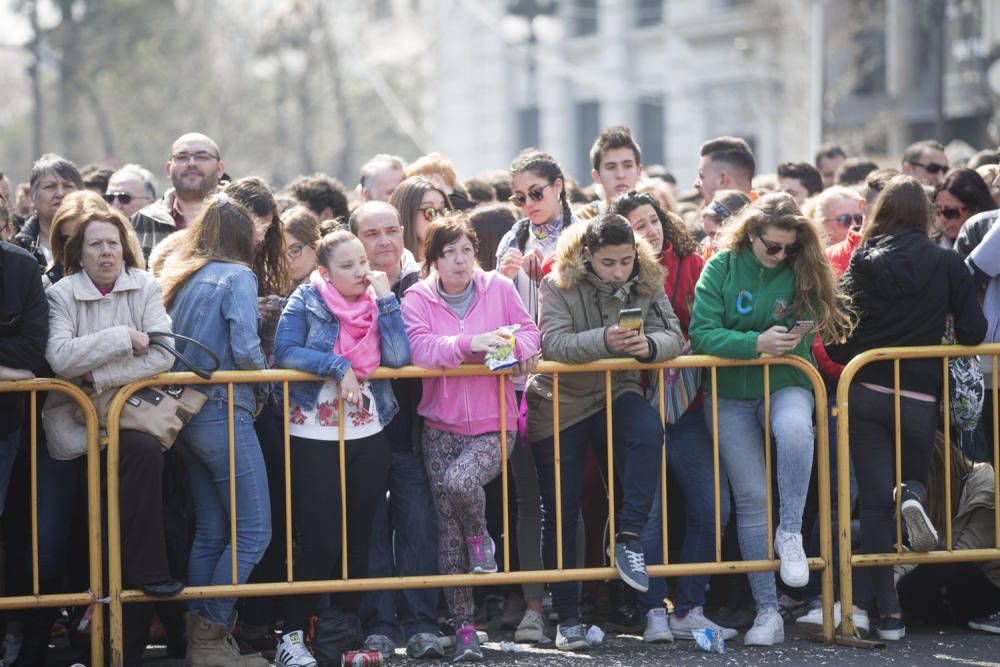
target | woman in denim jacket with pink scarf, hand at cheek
x=343, y=325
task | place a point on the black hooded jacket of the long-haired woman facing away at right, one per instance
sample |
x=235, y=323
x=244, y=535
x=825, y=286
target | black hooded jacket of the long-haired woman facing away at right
x=903, y=287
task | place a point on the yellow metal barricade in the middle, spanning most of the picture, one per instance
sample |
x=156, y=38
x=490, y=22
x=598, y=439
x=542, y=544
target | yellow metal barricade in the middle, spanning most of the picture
x=118, y=597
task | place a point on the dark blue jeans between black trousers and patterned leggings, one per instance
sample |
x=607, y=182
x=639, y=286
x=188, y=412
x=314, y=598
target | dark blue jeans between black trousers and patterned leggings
x=413, y=542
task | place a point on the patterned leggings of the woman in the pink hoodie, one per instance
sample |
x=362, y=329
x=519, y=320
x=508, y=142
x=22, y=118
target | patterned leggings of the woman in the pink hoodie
x=458, y=467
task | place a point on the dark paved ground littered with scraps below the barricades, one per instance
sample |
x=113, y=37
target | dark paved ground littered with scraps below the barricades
x=922, y=646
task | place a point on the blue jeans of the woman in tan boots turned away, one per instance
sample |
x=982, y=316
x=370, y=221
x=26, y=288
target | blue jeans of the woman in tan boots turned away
x=204, y=446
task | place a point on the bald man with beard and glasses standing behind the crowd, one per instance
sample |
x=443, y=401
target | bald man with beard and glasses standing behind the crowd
x=195, y=167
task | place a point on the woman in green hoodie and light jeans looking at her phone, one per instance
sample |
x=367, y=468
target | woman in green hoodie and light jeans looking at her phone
x=767, y=291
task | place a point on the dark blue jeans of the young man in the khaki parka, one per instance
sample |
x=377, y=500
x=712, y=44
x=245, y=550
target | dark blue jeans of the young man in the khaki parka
x=639, y=442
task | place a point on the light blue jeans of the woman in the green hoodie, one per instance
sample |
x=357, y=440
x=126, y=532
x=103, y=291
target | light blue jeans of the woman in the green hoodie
x=741, y=450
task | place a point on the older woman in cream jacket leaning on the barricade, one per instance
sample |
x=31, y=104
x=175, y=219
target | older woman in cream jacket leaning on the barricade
x=98, y=318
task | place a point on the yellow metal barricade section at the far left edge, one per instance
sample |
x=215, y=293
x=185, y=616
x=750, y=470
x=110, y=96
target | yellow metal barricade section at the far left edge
x=93, y=596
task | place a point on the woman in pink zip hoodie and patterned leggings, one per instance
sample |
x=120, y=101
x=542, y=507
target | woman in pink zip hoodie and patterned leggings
x=457, y=315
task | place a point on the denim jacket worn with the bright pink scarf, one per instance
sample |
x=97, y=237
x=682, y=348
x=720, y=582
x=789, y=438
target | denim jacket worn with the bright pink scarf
x=307, y=332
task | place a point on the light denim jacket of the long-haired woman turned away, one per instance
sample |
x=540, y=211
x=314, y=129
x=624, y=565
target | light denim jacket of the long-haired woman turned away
x=217, y=306
